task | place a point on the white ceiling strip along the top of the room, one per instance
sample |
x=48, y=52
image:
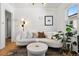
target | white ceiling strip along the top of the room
x=25, y=5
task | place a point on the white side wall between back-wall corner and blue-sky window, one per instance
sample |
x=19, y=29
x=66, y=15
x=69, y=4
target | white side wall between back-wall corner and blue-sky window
x=62, y=17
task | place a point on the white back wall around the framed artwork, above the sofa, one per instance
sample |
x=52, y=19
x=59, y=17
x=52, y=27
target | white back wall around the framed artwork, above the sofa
x=36, y=18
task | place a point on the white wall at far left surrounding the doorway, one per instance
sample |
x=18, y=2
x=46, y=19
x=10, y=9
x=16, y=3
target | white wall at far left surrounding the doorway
x=5, y=6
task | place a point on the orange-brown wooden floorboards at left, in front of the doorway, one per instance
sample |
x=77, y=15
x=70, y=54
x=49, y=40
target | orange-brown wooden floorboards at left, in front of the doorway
x=8, y=48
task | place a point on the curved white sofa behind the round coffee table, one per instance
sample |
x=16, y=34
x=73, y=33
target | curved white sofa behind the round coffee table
x=50, y=42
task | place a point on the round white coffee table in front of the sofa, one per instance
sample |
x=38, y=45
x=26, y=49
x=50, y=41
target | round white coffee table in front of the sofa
x=37, y=49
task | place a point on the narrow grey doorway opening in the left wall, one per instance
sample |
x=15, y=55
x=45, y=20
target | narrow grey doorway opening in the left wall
x=7, y=26
